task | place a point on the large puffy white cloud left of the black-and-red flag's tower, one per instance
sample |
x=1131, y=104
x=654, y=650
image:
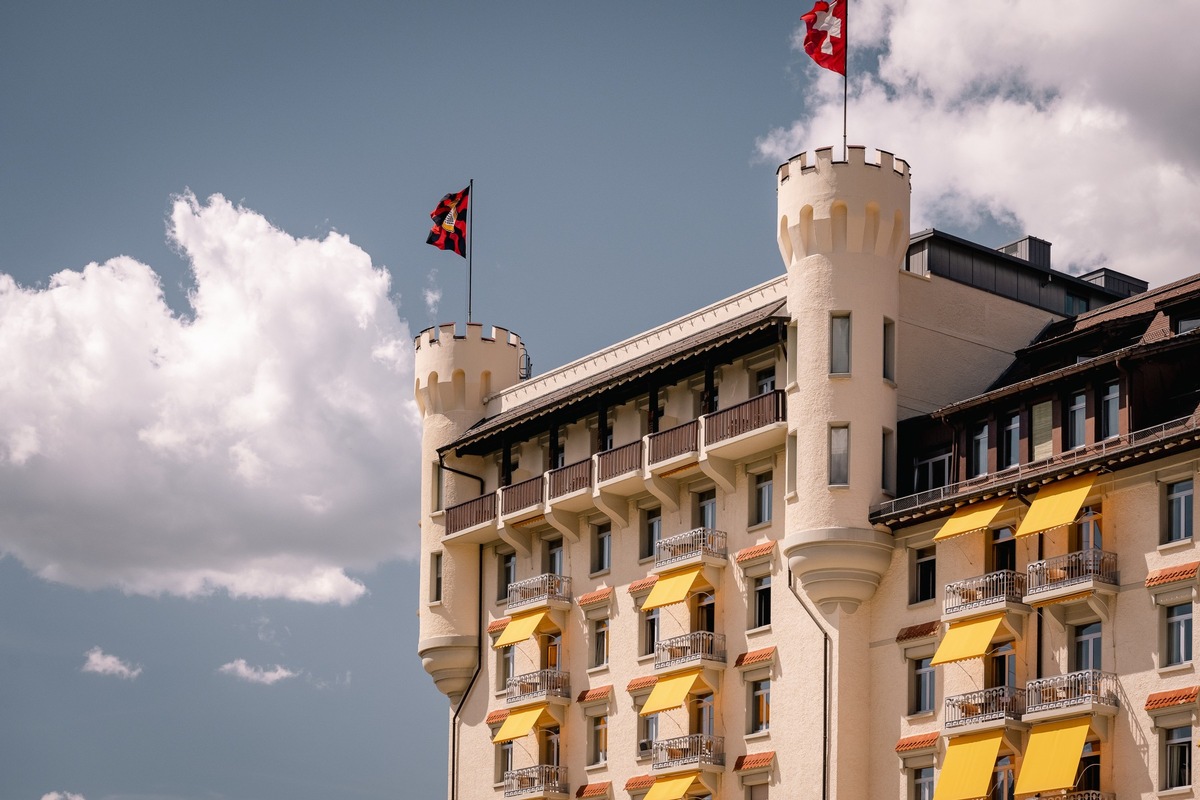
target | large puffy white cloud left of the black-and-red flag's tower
x=261, y=446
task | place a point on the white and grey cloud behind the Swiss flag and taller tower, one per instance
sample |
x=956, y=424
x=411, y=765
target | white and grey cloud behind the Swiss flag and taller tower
x=1075, y=124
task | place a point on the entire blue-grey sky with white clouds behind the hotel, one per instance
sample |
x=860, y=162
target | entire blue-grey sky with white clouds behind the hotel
x=212, y=263
